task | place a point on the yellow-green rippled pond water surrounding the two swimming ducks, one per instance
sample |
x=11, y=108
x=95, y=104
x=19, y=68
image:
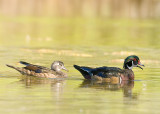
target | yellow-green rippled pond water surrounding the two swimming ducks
x=90, y=42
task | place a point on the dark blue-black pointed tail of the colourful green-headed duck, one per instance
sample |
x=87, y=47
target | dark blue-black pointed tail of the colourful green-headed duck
x=85, y=71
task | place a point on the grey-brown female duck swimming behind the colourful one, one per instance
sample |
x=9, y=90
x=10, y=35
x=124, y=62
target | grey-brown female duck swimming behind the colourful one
x=40, y=71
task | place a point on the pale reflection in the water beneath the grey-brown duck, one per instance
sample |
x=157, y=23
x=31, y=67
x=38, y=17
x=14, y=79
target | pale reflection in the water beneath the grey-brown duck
x=56, y=85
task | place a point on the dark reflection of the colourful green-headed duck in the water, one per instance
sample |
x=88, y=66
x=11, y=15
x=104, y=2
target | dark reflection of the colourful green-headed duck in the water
x=125, y=86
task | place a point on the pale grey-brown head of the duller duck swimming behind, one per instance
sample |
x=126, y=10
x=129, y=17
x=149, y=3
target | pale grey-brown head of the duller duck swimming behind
x=57, y=66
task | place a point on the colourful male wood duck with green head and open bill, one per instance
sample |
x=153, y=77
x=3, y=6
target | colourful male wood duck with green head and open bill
x=112, y=73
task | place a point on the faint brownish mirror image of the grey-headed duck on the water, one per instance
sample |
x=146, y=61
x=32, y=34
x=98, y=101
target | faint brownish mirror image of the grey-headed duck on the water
x=54, y=87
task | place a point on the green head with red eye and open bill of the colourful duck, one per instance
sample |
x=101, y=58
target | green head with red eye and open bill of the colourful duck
x=132, y=61
